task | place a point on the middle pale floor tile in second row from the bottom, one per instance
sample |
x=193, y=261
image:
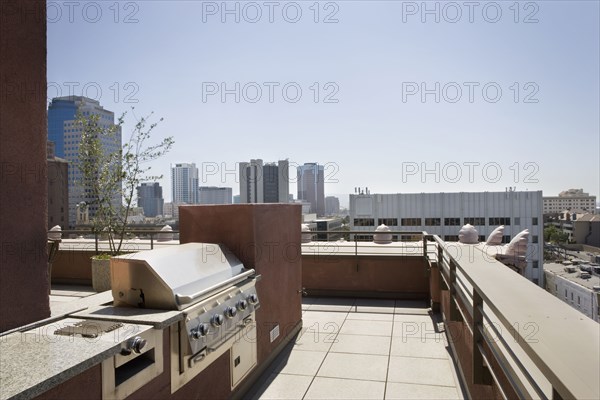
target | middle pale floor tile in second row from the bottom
x=354, y=366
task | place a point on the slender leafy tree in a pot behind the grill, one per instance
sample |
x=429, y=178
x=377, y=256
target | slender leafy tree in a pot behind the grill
x=108, y=180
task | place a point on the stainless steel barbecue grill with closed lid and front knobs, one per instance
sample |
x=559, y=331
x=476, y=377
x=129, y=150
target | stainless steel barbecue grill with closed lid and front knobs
x=215, y=292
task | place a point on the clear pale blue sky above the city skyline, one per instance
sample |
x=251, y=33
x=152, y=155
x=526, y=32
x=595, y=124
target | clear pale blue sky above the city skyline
x=405, y=103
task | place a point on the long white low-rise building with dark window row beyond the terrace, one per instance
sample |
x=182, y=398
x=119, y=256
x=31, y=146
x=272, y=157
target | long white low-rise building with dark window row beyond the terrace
x=443, y=214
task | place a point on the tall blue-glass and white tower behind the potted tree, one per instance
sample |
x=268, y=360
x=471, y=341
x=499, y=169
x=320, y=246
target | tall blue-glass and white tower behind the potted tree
x=66, y=135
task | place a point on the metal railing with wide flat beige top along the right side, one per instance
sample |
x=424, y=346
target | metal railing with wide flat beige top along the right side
x=540, y=367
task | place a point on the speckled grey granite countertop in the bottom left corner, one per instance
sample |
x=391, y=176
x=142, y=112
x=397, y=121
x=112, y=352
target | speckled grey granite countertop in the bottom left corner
x=36, y=360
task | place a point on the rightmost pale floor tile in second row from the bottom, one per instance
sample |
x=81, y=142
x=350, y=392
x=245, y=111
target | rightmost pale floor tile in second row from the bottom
x=423, y=371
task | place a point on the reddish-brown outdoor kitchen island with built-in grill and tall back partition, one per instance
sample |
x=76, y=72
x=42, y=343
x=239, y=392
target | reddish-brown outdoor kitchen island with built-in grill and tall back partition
x=213, y=341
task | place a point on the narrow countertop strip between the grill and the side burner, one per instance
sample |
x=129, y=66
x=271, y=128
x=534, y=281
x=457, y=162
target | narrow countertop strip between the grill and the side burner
x=159, y=319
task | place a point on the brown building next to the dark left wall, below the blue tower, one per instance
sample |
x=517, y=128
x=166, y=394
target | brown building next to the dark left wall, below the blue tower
x=58, y=189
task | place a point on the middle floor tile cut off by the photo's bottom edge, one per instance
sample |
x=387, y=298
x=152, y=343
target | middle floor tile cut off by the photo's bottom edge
x=332, y=388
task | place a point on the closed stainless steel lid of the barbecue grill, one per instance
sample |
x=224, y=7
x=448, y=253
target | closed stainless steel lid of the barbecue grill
x=174, y=277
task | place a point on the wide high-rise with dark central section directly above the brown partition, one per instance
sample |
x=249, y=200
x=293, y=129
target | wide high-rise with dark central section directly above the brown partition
x=264, y=183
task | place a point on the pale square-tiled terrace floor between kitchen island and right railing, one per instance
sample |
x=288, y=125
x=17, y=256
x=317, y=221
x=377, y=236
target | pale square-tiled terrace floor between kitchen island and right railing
x=364, y=349
